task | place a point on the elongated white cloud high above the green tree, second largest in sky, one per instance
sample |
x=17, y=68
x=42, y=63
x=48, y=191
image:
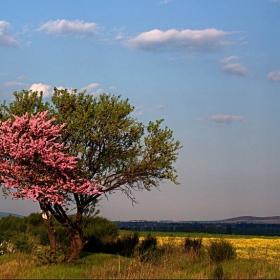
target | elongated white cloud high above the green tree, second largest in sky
x=66, y=27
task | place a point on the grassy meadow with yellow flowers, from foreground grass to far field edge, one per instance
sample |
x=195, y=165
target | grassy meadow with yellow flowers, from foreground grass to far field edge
x=257, y=258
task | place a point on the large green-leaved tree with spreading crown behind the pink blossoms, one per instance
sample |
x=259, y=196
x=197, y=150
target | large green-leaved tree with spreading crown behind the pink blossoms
x=114, y=148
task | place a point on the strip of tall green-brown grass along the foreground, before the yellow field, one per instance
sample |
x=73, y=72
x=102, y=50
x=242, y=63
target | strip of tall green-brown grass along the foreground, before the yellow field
x=175, y=263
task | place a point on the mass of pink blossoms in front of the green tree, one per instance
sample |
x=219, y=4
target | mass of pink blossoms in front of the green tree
x=34, y=164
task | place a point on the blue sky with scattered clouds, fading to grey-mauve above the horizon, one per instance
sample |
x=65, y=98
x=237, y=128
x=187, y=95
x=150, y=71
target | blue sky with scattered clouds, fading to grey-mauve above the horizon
x=209, y=68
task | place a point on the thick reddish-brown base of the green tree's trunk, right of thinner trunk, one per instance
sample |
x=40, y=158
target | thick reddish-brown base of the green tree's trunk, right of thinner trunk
x=76, y=244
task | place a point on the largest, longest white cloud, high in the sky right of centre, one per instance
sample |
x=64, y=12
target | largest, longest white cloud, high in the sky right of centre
x=186, y=40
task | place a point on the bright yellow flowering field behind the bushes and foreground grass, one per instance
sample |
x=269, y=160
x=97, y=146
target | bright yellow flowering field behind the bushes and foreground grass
x=246, y=248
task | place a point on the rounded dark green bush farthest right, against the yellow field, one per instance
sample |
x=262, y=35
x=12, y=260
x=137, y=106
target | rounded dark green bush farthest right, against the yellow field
x=220, y=251
